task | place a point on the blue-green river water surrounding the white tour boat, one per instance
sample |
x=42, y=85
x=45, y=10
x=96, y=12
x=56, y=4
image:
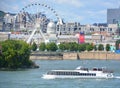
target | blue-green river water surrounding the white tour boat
x=32, y=78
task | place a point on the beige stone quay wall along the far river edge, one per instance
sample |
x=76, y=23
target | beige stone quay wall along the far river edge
x=74, y=56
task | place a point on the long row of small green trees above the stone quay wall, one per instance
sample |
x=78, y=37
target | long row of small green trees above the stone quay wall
x=72, y=46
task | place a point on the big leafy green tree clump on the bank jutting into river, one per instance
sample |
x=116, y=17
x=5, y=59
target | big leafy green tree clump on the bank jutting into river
x=15, y=54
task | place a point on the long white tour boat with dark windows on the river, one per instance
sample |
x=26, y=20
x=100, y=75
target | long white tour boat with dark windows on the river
x=79, y=72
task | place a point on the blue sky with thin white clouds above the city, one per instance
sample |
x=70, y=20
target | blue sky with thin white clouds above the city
x=83, y=11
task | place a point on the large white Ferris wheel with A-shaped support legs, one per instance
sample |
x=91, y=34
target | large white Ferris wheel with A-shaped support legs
x=36, y=16
